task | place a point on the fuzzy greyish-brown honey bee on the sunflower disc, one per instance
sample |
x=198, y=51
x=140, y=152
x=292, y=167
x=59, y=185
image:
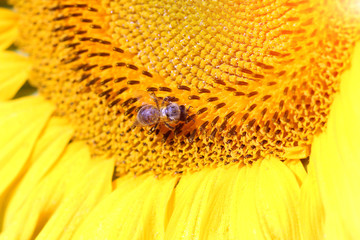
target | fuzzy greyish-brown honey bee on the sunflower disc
x=168, y=113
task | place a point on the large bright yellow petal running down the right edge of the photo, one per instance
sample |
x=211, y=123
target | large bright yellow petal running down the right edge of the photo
x=336, y=159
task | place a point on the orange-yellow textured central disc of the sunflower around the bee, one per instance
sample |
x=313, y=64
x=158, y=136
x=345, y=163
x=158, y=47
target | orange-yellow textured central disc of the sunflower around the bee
x=257, y=77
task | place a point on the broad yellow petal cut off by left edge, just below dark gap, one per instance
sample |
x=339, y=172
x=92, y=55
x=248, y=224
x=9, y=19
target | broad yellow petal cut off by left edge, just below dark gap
x=21, y=125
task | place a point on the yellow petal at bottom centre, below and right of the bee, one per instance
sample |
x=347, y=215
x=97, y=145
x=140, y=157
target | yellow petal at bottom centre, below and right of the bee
x=201, y=205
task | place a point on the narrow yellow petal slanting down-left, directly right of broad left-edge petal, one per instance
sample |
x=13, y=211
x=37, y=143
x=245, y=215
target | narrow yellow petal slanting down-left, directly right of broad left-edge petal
x=45, y=154
